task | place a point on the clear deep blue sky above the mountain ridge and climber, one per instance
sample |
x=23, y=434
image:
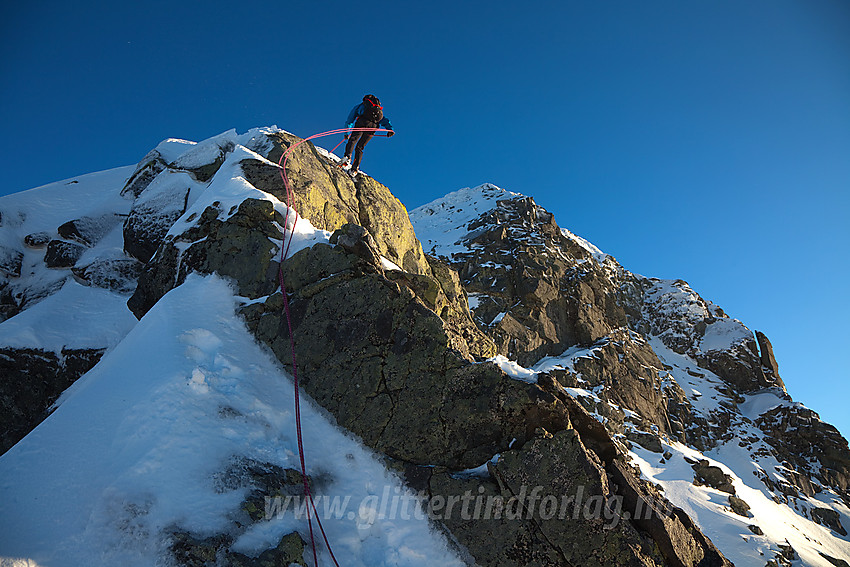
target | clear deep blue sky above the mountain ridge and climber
x=702, y=140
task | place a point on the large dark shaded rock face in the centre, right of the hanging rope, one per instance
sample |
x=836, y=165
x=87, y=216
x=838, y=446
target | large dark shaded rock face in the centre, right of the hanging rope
x=383, y=364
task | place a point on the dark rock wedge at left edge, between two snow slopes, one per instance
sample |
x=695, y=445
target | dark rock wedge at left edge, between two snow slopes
x=30, y=381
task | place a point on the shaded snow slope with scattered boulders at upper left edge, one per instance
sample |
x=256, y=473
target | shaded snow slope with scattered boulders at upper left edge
x=73, y=318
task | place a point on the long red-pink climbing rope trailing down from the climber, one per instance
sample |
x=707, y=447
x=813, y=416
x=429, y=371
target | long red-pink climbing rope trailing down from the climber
x=284, y=254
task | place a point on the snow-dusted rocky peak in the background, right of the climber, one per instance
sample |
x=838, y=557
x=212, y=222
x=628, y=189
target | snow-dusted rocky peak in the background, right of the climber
x=650, y=358
